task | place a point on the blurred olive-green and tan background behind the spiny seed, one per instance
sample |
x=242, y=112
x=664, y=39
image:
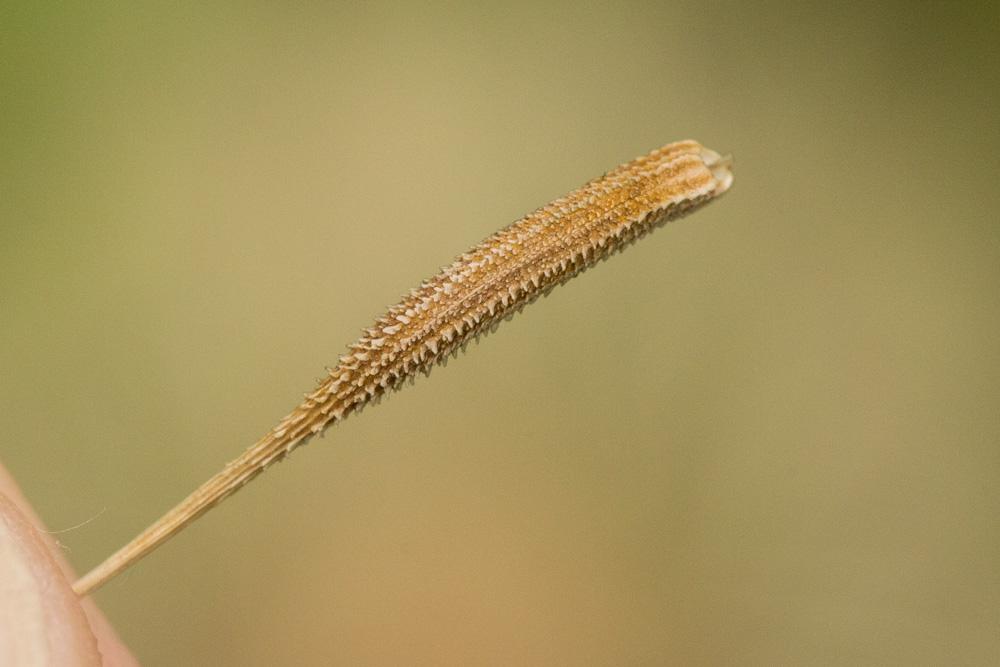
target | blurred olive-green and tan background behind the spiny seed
x=767, y=434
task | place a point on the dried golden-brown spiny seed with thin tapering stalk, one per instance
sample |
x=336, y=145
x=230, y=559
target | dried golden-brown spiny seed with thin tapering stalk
x=490, y=282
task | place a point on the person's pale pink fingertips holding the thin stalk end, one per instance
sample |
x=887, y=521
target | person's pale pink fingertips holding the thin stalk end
x=42, y=621
